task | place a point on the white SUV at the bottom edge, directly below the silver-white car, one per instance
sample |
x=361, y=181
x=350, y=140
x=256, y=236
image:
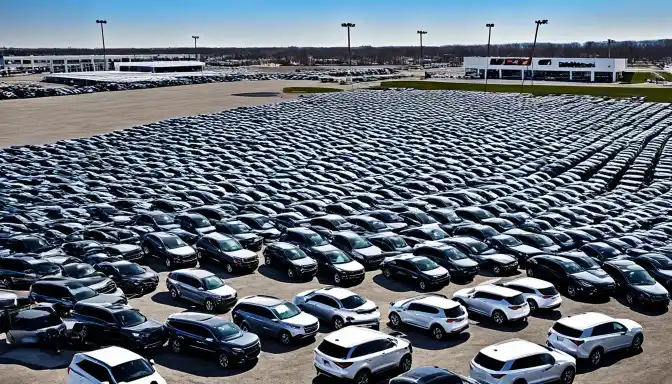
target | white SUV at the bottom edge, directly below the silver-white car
x=357, y=353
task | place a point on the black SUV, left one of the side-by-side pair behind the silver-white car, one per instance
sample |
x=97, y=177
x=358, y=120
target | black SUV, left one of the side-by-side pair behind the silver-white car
x=290, y=258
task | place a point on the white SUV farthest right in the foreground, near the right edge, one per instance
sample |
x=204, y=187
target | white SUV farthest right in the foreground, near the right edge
x=591, y=335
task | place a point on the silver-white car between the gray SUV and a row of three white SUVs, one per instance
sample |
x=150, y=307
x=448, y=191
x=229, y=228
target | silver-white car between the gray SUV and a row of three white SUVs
x=339, y=307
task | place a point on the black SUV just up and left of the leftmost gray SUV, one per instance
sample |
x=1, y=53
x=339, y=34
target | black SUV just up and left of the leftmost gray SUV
x=130, y=277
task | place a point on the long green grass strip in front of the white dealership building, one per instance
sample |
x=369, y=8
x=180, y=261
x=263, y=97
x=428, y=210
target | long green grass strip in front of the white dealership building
x=663, y=95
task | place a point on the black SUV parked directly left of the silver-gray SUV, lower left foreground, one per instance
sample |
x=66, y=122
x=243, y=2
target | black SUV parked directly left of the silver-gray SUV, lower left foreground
x=208, y=333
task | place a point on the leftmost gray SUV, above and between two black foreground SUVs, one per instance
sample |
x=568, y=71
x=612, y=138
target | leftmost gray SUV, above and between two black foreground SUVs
x=201, y=287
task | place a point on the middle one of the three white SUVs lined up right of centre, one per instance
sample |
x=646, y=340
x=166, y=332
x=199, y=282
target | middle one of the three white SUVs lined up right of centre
x=501, y=304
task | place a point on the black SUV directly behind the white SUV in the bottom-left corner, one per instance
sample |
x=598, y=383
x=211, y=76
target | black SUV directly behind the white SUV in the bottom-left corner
x=117, y=324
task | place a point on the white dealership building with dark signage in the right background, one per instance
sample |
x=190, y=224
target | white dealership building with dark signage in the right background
x=599, y=70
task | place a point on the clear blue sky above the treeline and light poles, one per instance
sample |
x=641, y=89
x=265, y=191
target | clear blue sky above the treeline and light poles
x=168, y=23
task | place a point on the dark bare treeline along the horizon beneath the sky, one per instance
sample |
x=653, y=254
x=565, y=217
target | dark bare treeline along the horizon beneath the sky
x=650, y=50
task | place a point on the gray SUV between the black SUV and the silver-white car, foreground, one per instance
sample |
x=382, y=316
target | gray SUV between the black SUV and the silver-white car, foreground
x=272, y=317
